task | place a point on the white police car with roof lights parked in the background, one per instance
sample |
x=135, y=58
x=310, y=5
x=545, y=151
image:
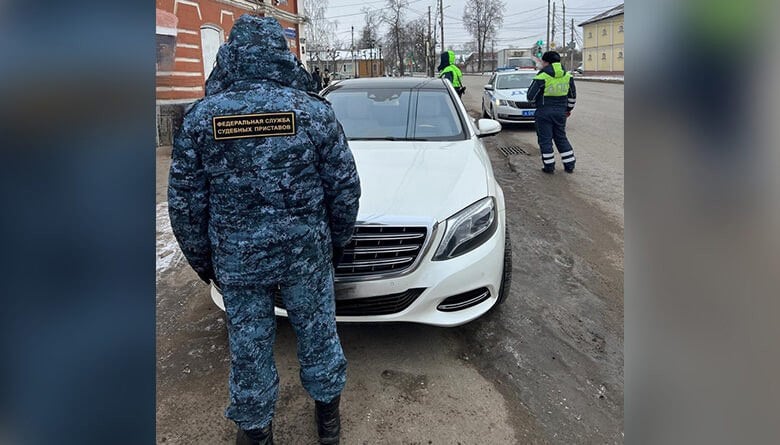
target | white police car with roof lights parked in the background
x=505, y=99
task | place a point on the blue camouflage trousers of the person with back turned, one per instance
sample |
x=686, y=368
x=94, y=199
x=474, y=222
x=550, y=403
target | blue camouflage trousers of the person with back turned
x=254, y=382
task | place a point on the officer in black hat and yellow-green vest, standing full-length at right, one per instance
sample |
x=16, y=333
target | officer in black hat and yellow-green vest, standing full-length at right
x=554, y=93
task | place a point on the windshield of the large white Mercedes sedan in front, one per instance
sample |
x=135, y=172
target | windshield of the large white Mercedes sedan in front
x=396, y=114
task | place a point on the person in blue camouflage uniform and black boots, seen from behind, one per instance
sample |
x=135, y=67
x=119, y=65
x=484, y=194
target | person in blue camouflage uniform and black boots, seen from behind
x=263, y=190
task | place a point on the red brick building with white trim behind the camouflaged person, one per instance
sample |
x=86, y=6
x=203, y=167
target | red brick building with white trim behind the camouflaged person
x=189, y=33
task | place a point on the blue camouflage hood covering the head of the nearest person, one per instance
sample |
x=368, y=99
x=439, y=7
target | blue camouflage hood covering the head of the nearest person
x=257, y=50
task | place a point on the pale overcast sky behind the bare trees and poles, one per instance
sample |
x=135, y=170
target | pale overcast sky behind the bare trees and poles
x=524, y=20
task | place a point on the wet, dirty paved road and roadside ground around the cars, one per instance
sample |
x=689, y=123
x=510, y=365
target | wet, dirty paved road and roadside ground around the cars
x=546, y=367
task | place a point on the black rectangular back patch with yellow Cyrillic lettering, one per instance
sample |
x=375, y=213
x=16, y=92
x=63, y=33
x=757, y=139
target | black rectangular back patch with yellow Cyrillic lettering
x=254, y=125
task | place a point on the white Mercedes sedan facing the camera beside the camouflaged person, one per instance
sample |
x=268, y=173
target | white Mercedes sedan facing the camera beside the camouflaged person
x=431, y=244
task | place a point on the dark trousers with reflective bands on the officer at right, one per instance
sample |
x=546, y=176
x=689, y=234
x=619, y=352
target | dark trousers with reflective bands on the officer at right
x=551, y=126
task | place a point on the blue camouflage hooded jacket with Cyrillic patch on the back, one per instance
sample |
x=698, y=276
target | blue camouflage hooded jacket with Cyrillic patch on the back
x=262, y=182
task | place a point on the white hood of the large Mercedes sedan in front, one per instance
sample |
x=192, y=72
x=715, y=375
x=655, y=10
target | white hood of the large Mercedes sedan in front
x=418, y=179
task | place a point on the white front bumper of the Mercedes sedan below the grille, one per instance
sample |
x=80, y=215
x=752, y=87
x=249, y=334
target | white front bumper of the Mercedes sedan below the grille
x=480, y=268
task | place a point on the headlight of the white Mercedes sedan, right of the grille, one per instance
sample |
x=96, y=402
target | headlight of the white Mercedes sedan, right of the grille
x=468, y=229
